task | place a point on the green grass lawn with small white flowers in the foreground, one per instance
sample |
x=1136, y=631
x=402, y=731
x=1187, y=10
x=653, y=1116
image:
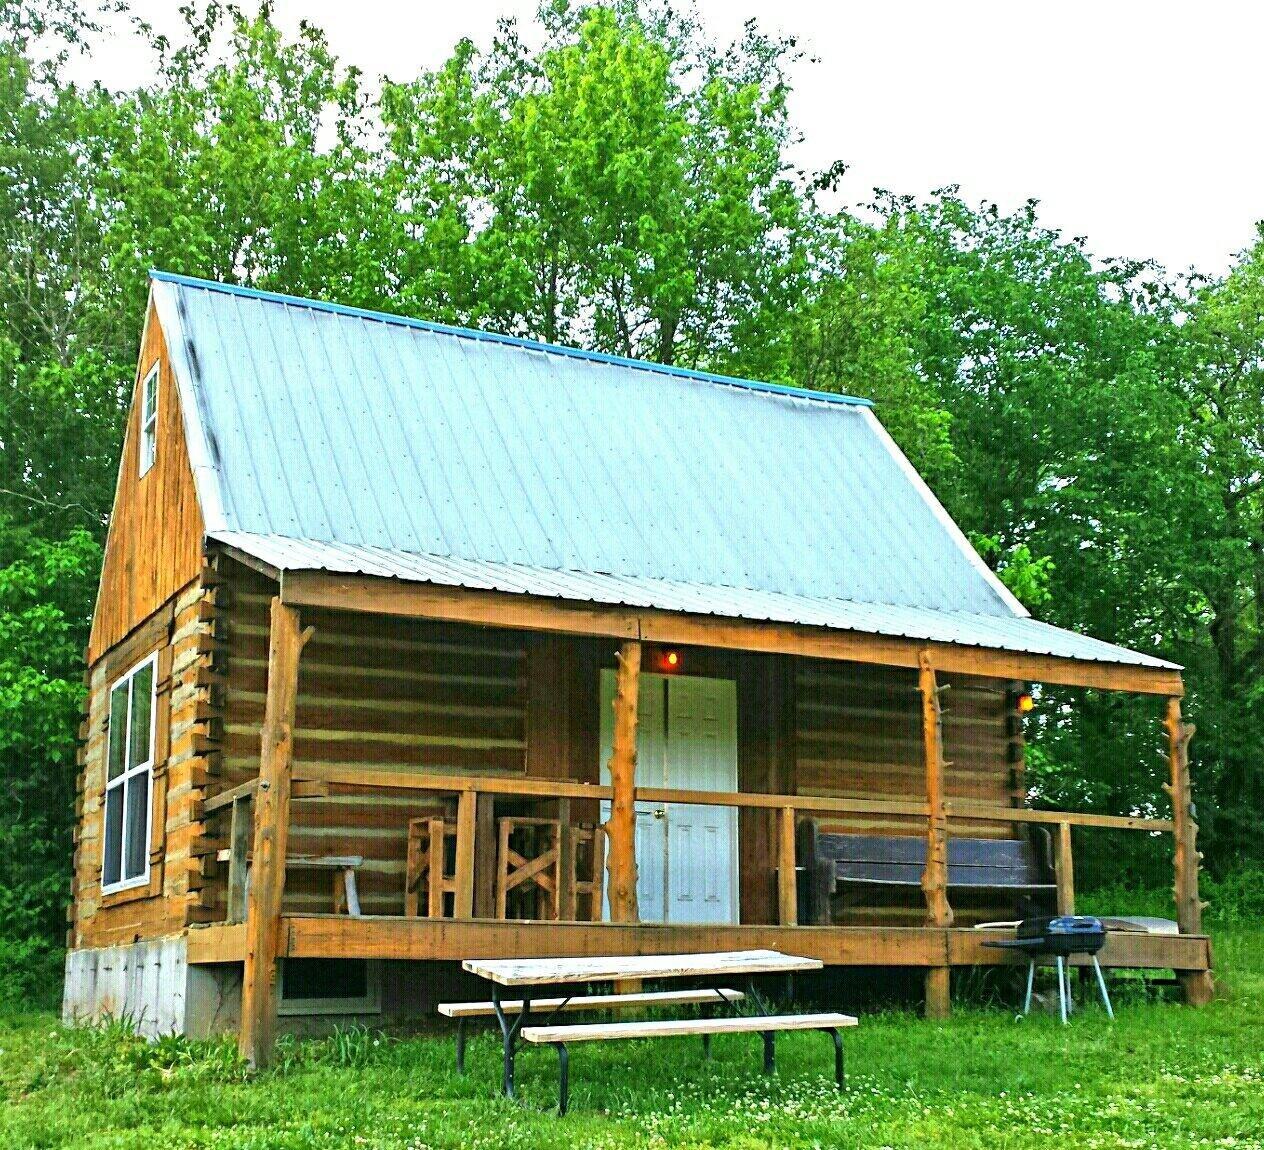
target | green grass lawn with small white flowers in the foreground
x=1162, y=1076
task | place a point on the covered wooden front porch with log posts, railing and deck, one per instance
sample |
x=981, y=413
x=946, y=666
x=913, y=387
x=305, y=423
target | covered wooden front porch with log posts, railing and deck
x=922, y=772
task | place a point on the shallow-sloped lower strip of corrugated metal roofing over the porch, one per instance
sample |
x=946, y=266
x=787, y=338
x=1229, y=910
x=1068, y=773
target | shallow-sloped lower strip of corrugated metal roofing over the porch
x=1011, y=634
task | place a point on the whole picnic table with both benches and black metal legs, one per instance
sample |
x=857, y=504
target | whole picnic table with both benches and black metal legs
x=526, y=975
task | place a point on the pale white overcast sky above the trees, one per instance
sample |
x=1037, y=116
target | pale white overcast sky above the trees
x=1136, y=124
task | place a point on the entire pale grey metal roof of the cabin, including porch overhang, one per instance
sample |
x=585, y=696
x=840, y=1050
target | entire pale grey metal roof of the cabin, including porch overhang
x=338, y=438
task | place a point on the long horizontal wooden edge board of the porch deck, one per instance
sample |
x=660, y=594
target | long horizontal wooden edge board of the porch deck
x=453, y=941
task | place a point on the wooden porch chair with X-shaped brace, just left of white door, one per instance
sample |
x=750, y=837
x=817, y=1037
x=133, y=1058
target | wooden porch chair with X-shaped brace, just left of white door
x=540, y=860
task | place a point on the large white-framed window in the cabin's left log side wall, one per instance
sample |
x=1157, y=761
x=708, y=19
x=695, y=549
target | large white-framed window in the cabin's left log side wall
x=130, y=779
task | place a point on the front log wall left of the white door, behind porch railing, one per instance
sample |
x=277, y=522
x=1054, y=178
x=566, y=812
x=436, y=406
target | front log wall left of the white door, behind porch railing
x=374, y=693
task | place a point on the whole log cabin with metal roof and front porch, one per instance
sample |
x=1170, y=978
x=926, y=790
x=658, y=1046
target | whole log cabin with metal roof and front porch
x=418, y=644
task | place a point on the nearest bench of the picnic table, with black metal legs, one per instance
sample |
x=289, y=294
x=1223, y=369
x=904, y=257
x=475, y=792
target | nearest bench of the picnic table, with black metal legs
x=765, y=1026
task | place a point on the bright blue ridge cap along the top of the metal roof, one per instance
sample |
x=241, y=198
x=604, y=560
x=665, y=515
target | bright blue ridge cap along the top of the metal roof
x=511, y=342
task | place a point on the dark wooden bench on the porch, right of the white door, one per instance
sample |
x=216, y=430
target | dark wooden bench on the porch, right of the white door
x=836, y=861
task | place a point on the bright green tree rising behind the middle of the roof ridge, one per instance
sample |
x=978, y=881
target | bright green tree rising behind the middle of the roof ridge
x=625, y=188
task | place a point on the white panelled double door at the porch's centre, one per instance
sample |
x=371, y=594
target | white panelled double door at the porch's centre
x=687, y=740
